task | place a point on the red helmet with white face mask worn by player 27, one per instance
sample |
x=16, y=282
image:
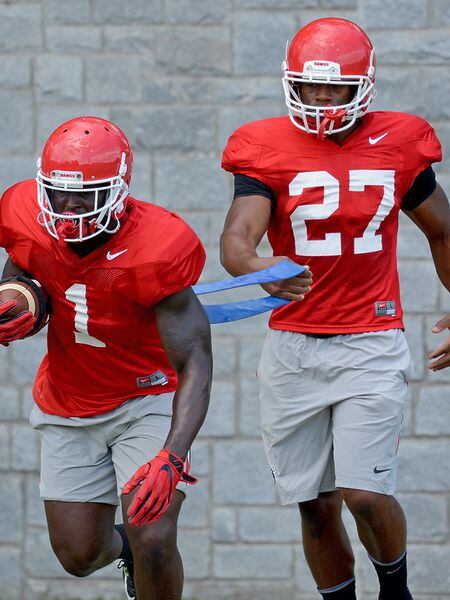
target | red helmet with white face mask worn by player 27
x=331, y=51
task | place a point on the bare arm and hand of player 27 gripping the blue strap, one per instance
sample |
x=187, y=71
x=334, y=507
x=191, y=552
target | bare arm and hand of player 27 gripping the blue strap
x=245, y=225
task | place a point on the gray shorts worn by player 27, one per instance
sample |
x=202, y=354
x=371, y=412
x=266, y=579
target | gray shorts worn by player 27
x=331, y=410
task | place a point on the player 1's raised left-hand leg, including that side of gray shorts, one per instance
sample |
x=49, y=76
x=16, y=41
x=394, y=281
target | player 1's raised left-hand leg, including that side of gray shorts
x=78, y=486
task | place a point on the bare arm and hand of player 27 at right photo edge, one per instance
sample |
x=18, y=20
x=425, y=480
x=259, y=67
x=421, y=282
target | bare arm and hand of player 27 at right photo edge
x=433, y=218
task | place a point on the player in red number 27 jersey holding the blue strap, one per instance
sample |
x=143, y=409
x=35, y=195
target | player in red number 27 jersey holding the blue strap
x=327, y=185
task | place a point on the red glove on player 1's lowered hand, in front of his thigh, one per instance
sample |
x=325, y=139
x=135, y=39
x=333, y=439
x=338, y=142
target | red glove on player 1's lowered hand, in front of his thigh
x=159, y=478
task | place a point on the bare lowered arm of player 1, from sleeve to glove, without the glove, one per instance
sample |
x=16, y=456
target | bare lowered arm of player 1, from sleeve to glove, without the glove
x=185, y=334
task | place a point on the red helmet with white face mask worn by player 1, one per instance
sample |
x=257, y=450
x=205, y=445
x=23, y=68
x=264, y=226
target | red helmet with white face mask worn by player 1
x=84, y=154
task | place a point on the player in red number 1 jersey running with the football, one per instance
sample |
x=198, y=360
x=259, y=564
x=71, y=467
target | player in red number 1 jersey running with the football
x=128, y=369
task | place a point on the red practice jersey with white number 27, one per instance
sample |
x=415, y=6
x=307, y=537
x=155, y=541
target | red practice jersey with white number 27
x=337, y=211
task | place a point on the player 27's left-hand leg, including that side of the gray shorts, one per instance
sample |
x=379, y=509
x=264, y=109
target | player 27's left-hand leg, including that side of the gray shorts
x=297, y=435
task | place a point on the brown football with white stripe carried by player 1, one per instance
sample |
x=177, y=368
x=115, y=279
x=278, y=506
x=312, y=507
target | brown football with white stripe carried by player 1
x=29, y=295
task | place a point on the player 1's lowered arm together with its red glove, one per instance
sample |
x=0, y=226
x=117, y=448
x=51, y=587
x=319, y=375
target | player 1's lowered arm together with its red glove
x=185, y=335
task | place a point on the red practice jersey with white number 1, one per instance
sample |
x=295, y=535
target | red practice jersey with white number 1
x=103, y=344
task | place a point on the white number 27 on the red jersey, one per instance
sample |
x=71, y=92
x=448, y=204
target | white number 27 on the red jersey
x=370, y=241
